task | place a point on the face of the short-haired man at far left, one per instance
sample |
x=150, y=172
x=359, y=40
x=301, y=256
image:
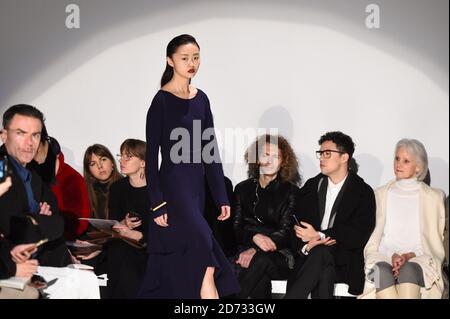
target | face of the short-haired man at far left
x=22, y=138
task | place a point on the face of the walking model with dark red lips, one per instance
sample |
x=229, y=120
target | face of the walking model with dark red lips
x=185, y=61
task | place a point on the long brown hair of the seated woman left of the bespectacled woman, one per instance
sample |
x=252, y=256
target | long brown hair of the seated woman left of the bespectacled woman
x=100, y=151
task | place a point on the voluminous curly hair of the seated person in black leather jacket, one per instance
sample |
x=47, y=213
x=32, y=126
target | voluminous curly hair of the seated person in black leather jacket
x=289, y=163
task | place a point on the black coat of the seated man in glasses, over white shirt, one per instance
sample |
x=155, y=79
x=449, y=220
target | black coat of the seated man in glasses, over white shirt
x=353, y=224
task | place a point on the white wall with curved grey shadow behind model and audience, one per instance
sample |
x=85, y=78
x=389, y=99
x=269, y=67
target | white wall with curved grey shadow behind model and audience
x=304, y=67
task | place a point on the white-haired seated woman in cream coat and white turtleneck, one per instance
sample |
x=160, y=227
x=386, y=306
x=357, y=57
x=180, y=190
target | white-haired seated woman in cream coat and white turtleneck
x=405, y=252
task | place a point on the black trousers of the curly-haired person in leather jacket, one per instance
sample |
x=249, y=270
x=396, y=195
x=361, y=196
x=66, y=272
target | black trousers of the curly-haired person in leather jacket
x=255, y=280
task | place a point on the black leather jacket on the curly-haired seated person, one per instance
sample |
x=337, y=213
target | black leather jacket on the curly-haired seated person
x=276, y=224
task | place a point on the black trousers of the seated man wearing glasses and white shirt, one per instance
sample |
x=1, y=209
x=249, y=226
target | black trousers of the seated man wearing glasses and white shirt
x=315, y=274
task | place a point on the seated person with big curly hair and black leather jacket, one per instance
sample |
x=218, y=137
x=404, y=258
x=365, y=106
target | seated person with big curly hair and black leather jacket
x=263, y=210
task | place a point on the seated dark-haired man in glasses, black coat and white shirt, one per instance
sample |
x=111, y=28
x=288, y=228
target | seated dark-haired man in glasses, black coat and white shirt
x=336, y=213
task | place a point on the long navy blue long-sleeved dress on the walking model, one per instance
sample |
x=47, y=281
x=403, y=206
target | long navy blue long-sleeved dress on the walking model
x=179, y=254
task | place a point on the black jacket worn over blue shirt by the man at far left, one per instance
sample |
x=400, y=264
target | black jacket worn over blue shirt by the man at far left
x=19, y=229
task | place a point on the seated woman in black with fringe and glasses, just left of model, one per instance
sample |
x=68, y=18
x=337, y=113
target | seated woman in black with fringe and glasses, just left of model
x=129, y=203
